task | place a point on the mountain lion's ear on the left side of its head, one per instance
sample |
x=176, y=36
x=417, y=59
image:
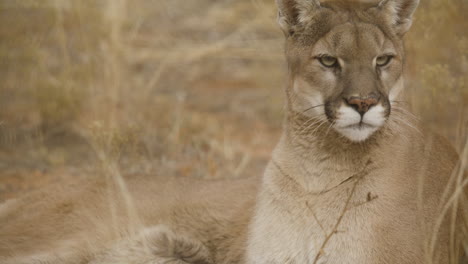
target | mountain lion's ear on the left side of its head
x=293, y=12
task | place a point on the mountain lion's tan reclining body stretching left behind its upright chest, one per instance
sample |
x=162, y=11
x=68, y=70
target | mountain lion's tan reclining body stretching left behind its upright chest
x=170, y=221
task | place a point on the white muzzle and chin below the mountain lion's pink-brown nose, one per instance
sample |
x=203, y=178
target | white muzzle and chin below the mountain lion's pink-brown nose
x=348, y=120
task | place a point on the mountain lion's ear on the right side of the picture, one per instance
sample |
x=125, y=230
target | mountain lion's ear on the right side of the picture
x=399, y=13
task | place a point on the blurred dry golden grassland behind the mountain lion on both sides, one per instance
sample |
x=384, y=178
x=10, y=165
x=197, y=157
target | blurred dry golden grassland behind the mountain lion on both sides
x=192, y=88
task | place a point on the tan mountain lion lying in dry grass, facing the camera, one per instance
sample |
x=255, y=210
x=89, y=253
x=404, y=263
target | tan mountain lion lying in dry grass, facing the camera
x=353, y=179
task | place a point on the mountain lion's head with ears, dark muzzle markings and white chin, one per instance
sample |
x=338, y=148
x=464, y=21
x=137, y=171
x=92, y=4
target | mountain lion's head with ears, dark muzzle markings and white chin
x=345, y=61
